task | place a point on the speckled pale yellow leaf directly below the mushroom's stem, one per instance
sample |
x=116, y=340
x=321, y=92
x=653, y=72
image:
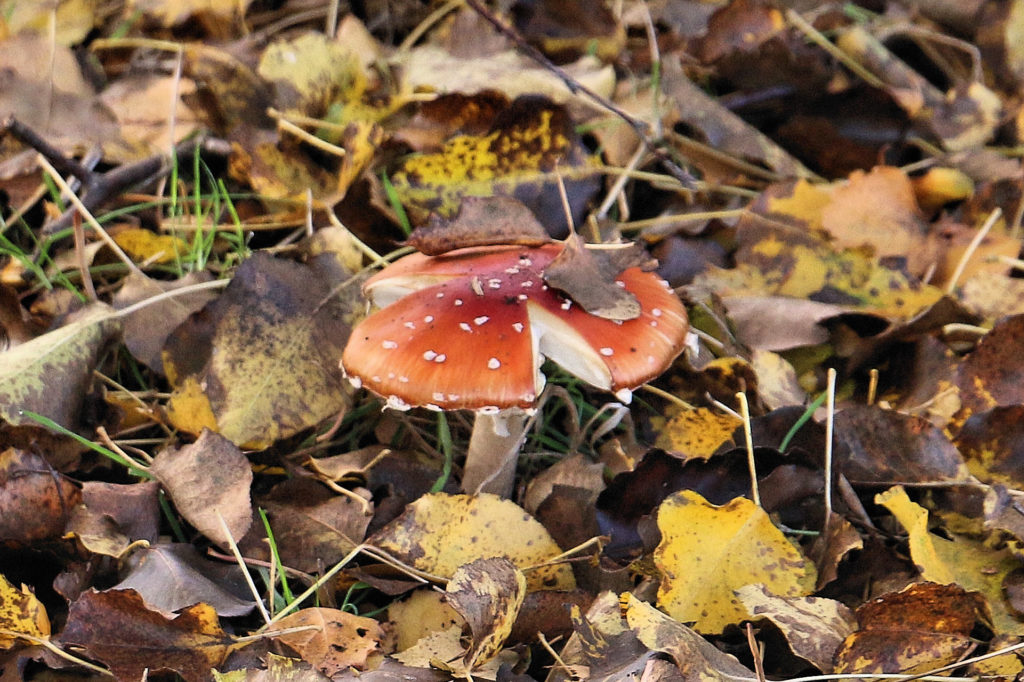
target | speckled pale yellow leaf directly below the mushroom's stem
x=441, y=533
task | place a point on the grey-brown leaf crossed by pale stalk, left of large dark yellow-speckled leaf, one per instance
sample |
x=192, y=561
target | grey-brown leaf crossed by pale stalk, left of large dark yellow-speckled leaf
x=147, y=329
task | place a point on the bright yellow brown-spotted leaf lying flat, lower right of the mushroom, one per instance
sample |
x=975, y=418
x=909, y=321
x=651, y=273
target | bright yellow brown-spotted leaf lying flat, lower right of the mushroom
x=708, y=552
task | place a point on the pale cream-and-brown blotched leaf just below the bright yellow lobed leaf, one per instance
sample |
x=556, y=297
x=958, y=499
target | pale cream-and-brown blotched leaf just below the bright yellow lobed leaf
x=814, y=627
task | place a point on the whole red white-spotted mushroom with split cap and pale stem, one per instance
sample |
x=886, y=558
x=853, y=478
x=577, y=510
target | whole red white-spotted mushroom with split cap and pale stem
x=472, y=328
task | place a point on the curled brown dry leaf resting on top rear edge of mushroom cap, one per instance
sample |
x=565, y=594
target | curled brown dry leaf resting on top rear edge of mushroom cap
x=482, y=222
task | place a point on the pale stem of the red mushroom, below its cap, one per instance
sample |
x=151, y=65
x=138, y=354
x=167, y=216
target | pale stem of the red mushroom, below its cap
x=494, y=449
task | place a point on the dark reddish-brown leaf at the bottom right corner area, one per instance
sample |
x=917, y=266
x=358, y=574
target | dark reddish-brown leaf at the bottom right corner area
x=923, y=627
